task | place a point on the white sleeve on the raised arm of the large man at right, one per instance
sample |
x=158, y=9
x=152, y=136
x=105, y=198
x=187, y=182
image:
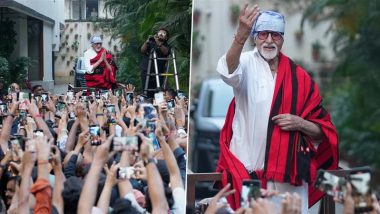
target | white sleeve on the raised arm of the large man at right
x=234, y=79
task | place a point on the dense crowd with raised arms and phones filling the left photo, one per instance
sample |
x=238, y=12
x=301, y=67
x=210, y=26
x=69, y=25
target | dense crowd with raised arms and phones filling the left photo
x=92, y=151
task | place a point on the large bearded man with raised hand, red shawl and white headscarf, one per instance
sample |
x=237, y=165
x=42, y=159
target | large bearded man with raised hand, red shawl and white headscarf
x=276, y=129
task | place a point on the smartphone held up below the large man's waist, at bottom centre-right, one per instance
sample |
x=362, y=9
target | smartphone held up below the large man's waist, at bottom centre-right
x=250, y=189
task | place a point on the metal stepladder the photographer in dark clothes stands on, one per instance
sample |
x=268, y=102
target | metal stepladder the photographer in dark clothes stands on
x=153, y=56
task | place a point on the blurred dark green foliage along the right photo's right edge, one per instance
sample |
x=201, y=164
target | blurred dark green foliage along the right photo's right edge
x=356, y=80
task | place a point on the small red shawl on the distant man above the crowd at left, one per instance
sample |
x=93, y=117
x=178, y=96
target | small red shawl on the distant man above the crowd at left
x=102, y=77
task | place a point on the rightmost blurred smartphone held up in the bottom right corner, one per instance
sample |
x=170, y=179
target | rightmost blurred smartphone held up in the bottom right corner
x=360, y=180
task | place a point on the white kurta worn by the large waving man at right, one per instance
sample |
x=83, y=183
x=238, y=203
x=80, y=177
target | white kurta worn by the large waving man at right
x=253, y=85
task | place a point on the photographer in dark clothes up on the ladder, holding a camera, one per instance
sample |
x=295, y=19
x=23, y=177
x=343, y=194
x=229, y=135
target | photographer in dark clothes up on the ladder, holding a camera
x=157, y=42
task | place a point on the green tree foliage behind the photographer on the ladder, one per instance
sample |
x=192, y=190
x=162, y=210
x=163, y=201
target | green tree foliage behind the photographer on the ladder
x=135, y=20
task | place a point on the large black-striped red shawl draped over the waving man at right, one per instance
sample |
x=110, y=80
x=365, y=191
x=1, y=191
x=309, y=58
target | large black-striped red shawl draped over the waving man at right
x=289, y=156
